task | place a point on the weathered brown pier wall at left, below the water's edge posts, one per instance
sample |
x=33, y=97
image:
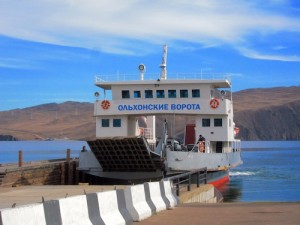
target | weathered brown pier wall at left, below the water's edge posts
x=40, y=173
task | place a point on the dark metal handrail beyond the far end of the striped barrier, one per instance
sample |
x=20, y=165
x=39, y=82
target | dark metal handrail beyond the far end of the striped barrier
x=185, y=179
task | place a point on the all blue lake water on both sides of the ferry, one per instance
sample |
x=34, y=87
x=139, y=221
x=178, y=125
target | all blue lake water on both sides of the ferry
x=270, y=172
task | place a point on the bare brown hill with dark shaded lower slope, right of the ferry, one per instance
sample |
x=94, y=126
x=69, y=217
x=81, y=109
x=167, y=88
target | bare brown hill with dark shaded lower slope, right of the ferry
x=268, y=114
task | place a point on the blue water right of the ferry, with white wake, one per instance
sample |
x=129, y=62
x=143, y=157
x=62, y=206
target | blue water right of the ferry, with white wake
x=270, y=172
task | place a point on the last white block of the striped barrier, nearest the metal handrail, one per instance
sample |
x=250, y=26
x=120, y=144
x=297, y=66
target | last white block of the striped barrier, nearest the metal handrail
x=167, y=194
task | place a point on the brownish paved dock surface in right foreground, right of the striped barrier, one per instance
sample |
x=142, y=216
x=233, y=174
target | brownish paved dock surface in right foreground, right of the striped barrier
x=228, y=214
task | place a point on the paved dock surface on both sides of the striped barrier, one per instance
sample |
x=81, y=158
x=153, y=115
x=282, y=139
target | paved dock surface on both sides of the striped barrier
x=187, y=214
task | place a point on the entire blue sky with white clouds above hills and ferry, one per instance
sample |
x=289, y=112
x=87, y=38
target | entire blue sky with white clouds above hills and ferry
x=51, y=50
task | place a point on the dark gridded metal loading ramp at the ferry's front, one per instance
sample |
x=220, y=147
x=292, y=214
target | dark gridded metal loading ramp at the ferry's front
x=130, y=154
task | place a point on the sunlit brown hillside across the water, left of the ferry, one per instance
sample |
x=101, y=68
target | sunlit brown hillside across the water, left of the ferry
x=71, y=120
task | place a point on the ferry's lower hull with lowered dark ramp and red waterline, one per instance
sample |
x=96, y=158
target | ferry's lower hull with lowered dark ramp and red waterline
x=131, y=160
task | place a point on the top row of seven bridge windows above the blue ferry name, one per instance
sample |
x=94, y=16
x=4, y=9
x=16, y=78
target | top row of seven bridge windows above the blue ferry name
x=183, y=93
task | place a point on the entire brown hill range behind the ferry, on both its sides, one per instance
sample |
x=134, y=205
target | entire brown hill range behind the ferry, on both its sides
x=261, y=114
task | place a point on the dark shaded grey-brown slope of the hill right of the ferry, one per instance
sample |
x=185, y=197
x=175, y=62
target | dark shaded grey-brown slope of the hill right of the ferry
x=270, y=123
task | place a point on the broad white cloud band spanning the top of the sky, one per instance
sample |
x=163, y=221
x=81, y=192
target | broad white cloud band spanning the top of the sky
x=113, y=25
